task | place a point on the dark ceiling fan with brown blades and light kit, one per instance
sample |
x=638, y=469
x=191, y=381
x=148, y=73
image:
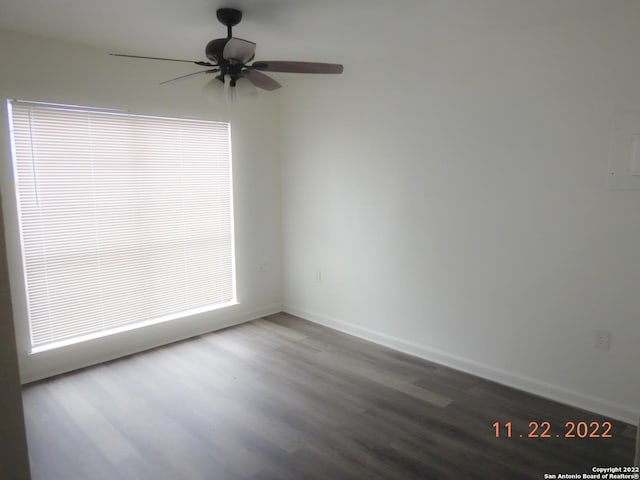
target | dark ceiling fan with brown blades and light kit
x=229, y=58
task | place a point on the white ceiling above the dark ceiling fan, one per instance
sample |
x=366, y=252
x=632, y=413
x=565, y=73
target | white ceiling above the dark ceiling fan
x=315, y=30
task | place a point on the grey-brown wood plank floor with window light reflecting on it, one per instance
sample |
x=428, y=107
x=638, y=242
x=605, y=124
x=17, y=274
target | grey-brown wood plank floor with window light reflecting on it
x=282, y=398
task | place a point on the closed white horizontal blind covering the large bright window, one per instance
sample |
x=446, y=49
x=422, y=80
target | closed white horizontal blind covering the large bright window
x=125, y=220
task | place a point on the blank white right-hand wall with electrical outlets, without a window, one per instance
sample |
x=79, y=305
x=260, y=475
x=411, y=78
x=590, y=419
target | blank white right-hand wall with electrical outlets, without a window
x=455, y=199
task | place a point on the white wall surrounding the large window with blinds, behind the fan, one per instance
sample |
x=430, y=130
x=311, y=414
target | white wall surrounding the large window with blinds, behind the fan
x=44, y=70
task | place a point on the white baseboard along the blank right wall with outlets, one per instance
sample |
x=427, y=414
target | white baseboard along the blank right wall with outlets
x=584, y=401
